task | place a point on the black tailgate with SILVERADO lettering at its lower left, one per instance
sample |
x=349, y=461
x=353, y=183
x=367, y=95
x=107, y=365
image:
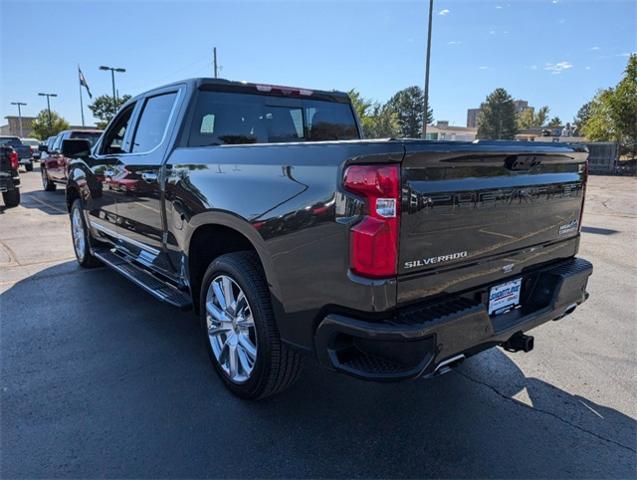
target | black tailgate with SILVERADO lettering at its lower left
x=469, y=202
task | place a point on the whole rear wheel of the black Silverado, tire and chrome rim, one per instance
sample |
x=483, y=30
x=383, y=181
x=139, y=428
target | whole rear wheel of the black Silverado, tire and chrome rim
x=240, y=331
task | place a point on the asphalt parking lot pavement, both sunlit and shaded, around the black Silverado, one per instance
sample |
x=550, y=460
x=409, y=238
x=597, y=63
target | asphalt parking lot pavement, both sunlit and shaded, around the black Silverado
x=98, y=379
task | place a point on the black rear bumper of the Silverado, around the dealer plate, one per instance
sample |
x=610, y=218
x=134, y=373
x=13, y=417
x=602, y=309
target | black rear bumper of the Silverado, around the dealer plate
x=418, y=340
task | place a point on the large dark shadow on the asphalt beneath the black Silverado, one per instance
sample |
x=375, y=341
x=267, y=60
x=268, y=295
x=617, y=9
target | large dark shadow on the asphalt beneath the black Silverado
x=106, y=381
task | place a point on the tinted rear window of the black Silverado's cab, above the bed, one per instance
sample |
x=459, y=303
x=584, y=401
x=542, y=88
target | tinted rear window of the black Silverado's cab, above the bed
x=229, y=118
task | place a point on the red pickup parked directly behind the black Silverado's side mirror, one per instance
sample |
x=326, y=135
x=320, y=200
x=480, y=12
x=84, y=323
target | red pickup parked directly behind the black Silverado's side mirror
x=53, y=165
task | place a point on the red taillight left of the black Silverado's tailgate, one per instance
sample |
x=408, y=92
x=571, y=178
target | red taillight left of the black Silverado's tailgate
x=374, y=240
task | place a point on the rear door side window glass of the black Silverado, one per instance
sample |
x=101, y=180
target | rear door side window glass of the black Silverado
x=153, y=122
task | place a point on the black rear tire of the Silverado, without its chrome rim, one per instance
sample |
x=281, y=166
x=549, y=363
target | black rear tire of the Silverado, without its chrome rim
x=276, y=366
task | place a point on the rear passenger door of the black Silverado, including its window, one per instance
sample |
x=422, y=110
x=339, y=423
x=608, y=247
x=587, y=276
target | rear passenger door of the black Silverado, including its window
x=138, y=180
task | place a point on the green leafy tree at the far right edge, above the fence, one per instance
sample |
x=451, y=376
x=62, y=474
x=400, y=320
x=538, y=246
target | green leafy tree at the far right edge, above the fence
x=613, y=112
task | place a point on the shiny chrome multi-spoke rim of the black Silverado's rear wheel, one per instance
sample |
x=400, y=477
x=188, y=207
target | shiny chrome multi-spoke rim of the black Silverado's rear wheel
x=231, y=330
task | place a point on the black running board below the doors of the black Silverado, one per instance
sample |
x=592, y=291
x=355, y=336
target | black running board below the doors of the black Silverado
x=158, y=289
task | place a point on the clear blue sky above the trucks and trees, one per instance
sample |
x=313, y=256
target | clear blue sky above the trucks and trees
x=549, y=52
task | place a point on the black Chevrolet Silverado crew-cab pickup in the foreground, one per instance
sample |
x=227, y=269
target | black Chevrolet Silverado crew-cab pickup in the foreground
x=261, y=208
